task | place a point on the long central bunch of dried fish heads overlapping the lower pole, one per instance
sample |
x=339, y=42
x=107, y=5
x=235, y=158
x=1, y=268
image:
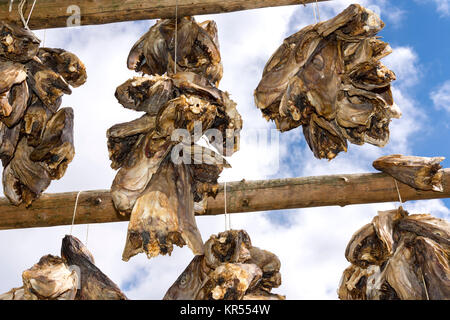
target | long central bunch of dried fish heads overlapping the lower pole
x=163, y=174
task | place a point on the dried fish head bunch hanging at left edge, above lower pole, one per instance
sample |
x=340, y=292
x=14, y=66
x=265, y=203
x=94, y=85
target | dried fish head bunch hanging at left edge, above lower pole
x=36, y=137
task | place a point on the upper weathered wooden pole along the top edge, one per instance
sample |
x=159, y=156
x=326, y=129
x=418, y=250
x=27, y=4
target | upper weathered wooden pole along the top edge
x=57, y=13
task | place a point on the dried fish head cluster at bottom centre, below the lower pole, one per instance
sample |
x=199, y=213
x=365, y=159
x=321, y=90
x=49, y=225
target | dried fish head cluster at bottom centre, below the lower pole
x=230, y=269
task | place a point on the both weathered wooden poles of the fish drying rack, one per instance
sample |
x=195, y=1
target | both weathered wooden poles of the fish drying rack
x=242, y=196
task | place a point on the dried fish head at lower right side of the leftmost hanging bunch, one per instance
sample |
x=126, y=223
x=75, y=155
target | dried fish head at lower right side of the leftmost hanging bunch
x=56, y=149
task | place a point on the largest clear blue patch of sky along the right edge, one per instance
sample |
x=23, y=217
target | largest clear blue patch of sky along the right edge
x=427, y=31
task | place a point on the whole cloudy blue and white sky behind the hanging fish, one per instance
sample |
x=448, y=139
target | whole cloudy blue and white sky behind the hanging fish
x=309, y=242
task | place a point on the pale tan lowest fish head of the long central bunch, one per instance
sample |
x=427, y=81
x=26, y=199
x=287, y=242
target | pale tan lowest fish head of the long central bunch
x=164, y=215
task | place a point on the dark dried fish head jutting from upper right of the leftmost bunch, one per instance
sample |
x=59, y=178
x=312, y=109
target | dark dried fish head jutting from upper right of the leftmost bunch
x=65, y=63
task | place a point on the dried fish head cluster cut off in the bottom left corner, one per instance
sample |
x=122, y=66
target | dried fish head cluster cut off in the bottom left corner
x=74, y=276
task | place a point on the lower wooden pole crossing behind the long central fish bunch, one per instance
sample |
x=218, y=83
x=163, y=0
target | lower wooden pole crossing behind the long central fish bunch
x=242, y=196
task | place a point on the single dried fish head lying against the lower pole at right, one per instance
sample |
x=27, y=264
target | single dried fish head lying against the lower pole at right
x=421, y=173
